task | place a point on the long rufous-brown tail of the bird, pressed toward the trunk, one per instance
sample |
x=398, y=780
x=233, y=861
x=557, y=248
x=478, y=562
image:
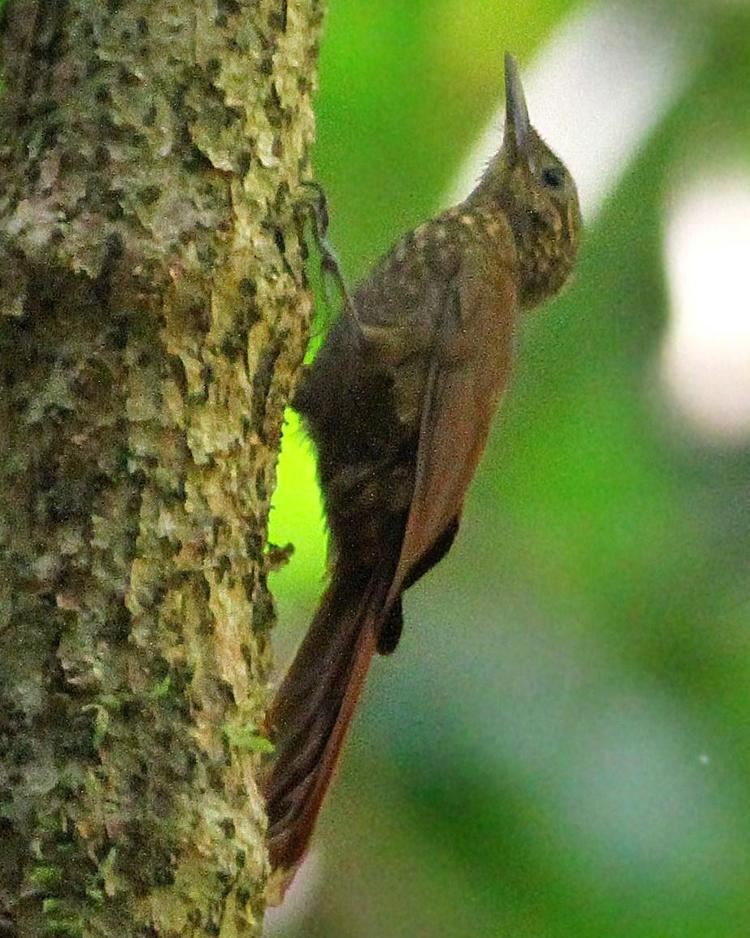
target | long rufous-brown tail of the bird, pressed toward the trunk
x=312, y=711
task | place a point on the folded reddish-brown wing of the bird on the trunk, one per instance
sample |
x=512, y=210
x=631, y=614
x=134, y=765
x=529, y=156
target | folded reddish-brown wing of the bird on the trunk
x=469, y=369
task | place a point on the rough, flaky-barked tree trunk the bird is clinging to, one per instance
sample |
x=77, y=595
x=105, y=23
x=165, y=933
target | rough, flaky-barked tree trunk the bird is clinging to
x=153, y=315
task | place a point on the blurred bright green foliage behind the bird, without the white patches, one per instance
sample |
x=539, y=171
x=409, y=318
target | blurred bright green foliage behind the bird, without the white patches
x=560, y=746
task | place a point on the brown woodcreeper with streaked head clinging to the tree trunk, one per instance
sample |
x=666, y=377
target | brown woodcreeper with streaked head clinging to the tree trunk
x=398, y=403
